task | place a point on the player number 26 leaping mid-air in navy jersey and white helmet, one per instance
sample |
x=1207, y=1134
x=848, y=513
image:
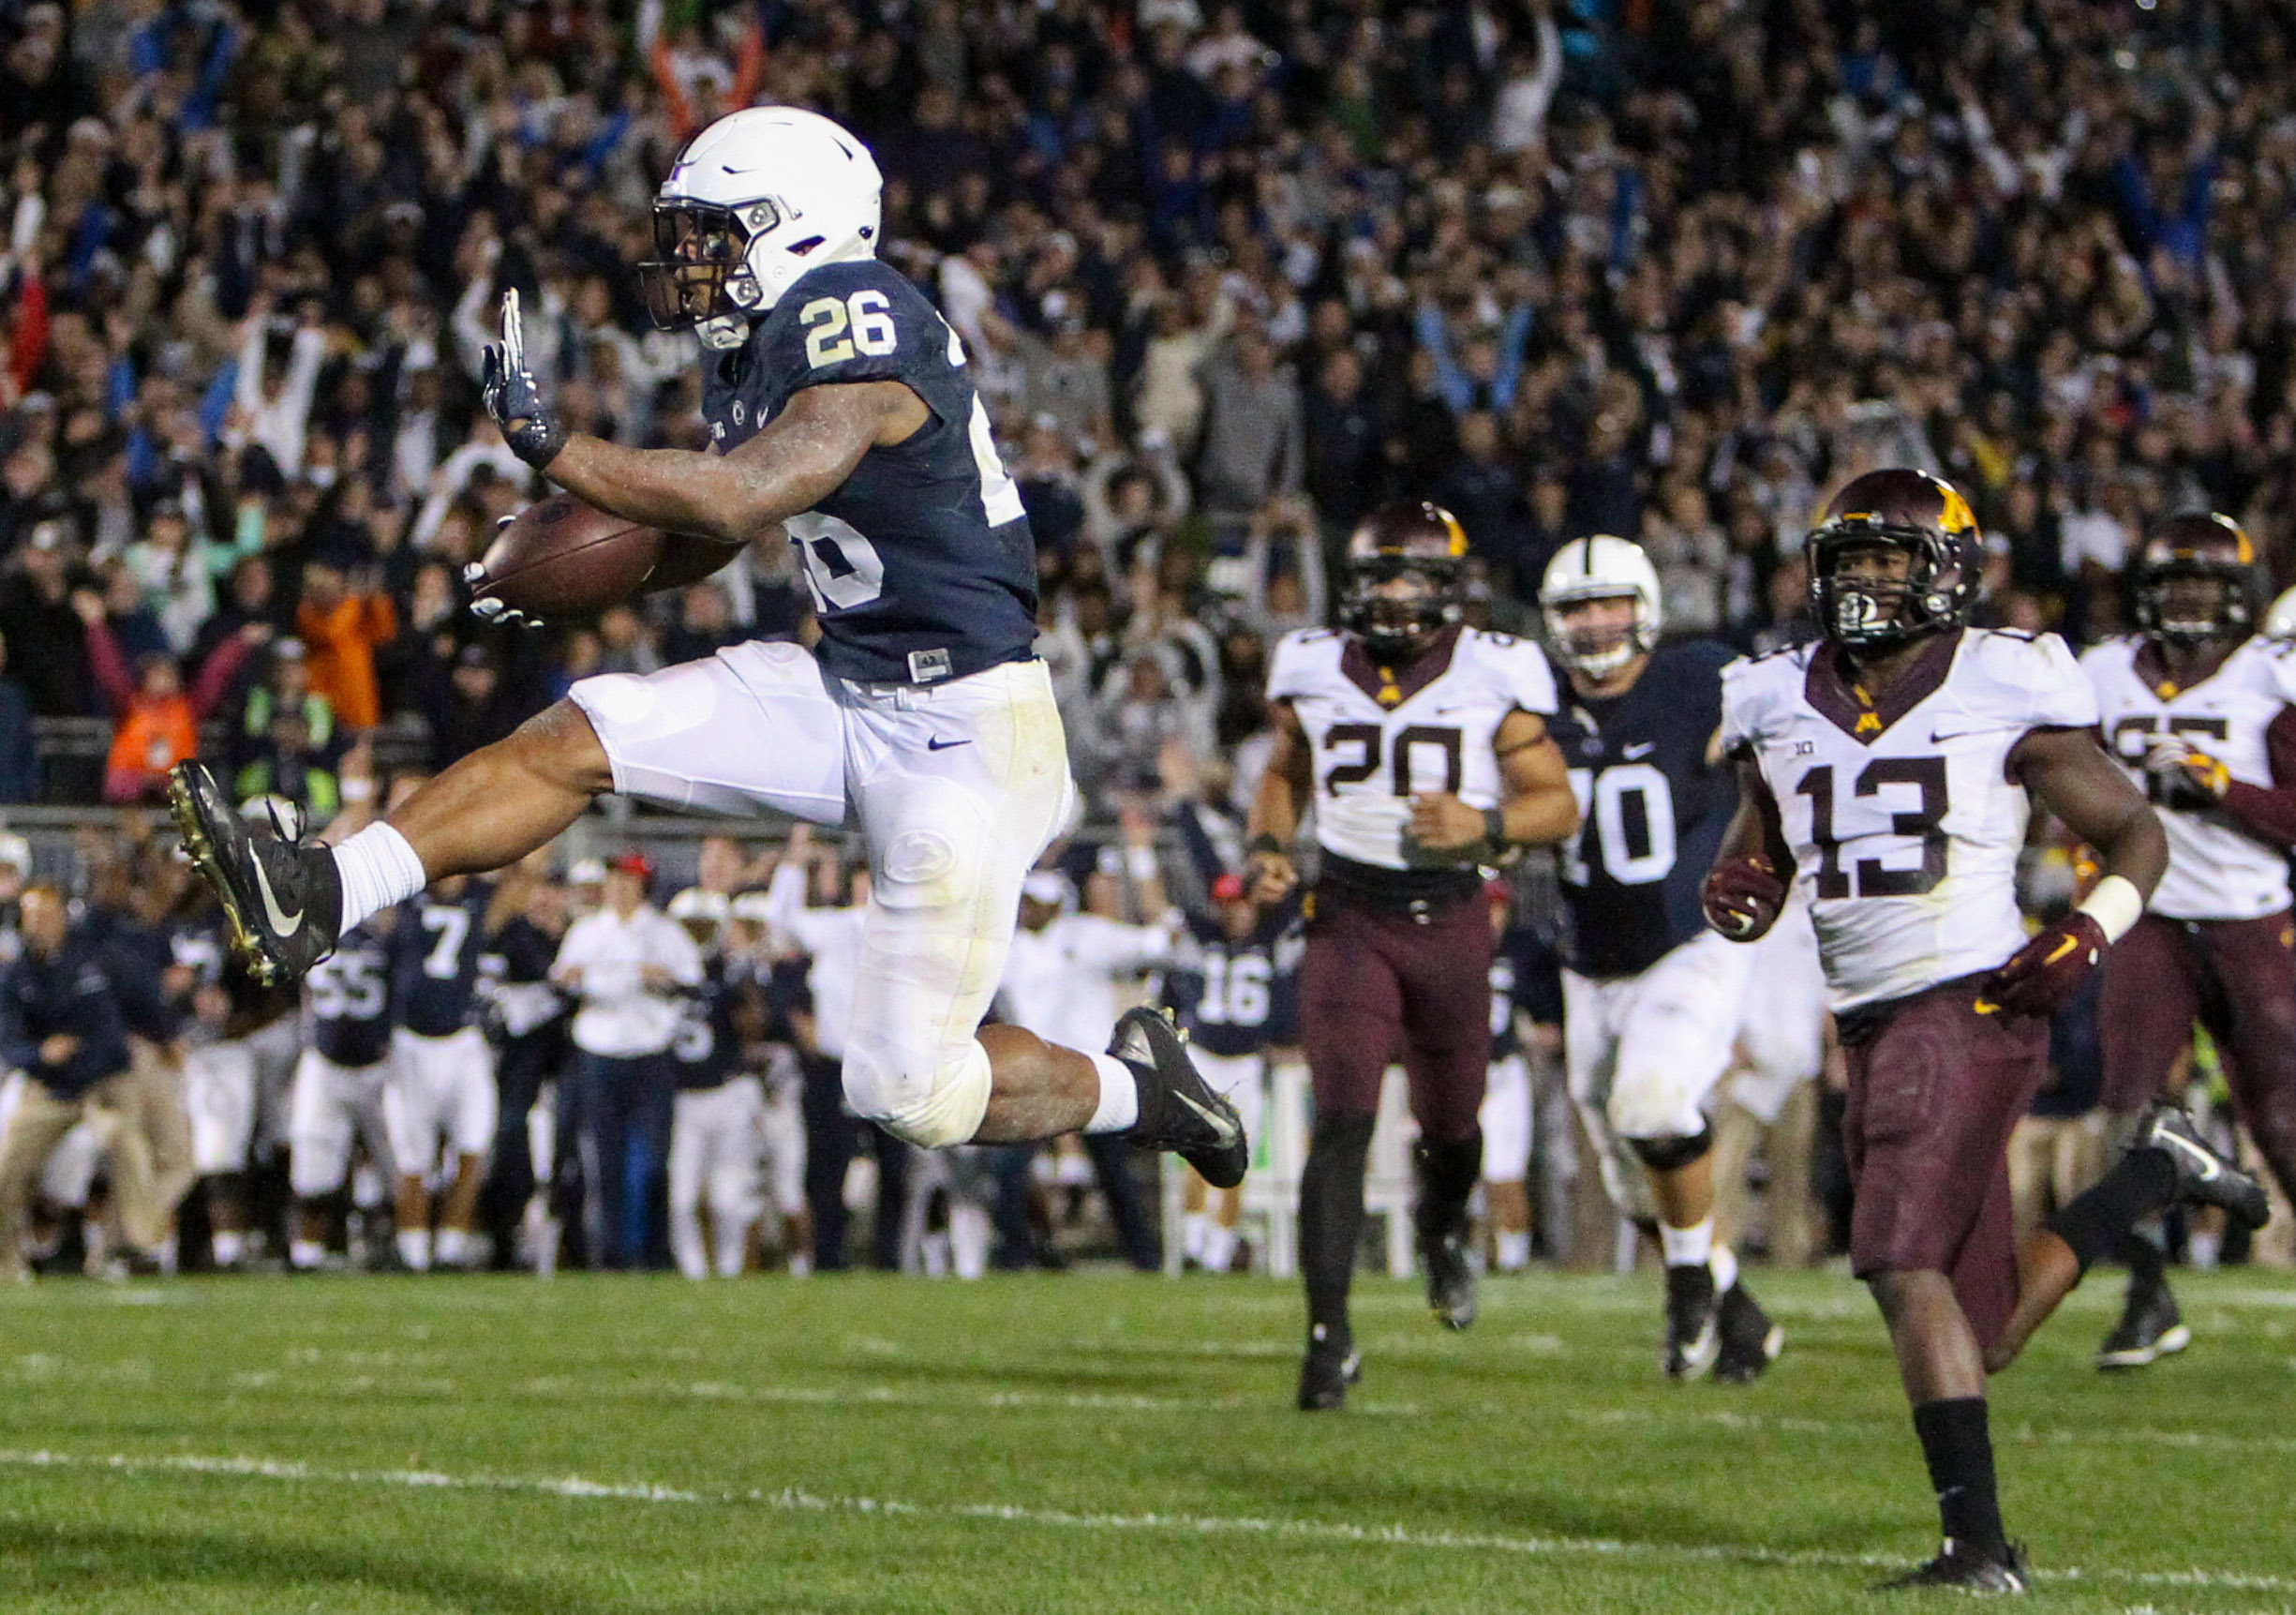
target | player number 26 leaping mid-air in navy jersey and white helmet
x=844, y=412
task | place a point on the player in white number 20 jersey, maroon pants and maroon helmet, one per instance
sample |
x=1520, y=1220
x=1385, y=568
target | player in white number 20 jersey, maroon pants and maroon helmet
x=1422, y=745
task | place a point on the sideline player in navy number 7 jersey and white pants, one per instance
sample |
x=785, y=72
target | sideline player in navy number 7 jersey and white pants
x=442, y=1069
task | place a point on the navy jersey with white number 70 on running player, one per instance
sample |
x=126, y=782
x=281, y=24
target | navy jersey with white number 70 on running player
x=1652, y=810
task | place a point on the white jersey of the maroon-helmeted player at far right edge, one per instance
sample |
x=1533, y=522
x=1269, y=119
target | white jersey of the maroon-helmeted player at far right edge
x=2214, y=867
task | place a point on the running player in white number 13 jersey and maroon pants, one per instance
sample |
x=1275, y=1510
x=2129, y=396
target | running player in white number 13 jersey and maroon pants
x=1891, y=771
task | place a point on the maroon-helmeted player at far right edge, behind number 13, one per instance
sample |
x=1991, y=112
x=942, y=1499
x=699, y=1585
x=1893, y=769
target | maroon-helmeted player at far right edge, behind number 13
x=2198, y=709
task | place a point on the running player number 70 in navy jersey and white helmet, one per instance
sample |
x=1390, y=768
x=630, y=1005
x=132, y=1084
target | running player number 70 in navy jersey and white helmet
x=1652, y=998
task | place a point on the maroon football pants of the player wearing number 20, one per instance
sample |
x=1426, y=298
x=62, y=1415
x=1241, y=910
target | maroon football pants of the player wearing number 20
x=1376, y=989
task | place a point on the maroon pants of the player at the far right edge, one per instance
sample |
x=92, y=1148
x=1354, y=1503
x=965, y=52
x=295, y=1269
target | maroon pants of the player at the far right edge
x=2235, y=977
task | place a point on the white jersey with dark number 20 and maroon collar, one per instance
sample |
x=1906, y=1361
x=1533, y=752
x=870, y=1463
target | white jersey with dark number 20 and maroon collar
x=1376, y=741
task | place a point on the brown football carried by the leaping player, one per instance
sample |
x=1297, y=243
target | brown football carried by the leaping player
x=566, y=559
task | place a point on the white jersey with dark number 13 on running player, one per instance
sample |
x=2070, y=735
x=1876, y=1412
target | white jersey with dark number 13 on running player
x=1905, y=821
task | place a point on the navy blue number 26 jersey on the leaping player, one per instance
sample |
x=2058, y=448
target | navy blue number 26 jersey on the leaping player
x=922, y=564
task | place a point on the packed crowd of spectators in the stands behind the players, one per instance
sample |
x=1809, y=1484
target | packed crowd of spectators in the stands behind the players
x=1230, y=275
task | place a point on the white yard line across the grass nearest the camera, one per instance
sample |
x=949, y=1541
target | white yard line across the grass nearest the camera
x=1064, y=1520
